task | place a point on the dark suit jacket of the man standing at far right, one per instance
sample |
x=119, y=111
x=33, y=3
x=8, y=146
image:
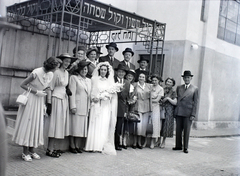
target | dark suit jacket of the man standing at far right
x=187, y=101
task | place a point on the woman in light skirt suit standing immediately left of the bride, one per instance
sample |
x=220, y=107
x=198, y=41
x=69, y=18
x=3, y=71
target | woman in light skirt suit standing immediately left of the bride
x=80, y=87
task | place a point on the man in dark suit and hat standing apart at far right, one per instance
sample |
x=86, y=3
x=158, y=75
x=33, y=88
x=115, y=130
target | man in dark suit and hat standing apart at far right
x=185, y=111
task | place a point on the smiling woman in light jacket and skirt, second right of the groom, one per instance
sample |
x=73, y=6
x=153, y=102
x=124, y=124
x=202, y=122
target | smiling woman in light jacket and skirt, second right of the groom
x=143, y=106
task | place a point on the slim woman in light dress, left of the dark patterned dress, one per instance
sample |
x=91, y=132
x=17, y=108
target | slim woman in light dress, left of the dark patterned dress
x=157, y=93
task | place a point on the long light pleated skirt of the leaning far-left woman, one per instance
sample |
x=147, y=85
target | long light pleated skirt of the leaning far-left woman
x=29, y=123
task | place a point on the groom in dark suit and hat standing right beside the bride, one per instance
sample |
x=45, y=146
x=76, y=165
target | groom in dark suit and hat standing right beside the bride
x=123, y=96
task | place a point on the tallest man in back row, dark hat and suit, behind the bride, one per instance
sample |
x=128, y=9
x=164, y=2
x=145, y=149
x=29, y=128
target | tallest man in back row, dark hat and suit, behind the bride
x=111, y=49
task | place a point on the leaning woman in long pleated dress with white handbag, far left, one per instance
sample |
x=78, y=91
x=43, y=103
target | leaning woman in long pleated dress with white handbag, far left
x=29, y=124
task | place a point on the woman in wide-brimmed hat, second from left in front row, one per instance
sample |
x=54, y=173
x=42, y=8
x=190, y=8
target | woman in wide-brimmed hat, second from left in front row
x=59, y=121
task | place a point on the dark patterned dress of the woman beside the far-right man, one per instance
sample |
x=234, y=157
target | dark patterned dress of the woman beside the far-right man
x=168, y=125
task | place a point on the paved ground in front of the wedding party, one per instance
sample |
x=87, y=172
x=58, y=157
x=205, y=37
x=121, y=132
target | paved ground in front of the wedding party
x=210, y=154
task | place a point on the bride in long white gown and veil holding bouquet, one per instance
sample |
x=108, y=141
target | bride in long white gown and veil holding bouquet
x=103, y=111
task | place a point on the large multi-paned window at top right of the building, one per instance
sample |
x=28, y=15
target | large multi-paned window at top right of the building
x=229, y=21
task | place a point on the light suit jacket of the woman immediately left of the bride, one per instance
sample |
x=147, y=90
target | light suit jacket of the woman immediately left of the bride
x=80, y=99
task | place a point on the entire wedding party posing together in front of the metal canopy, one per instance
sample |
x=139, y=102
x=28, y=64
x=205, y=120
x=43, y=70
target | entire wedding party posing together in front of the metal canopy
x=90, y=99
